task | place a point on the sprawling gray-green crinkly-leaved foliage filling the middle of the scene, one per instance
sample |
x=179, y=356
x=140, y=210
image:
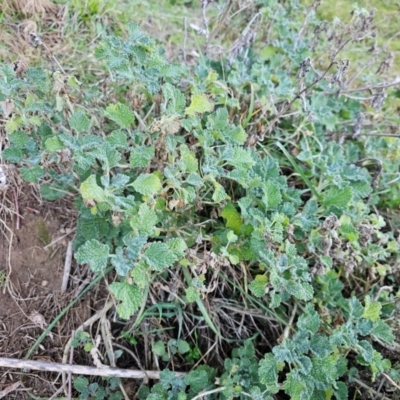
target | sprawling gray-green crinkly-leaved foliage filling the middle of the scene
x=141, y=187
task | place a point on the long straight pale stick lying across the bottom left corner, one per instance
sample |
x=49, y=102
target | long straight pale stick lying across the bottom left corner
x=81, y=369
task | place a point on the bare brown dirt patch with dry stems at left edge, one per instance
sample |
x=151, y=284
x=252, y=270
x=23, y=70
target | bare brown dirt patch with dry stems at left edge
x=32, y=297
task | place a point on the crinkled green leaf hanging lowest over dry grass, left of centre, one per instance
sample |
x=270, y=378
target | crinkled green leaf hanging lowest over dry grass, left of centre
x=131, y=298
